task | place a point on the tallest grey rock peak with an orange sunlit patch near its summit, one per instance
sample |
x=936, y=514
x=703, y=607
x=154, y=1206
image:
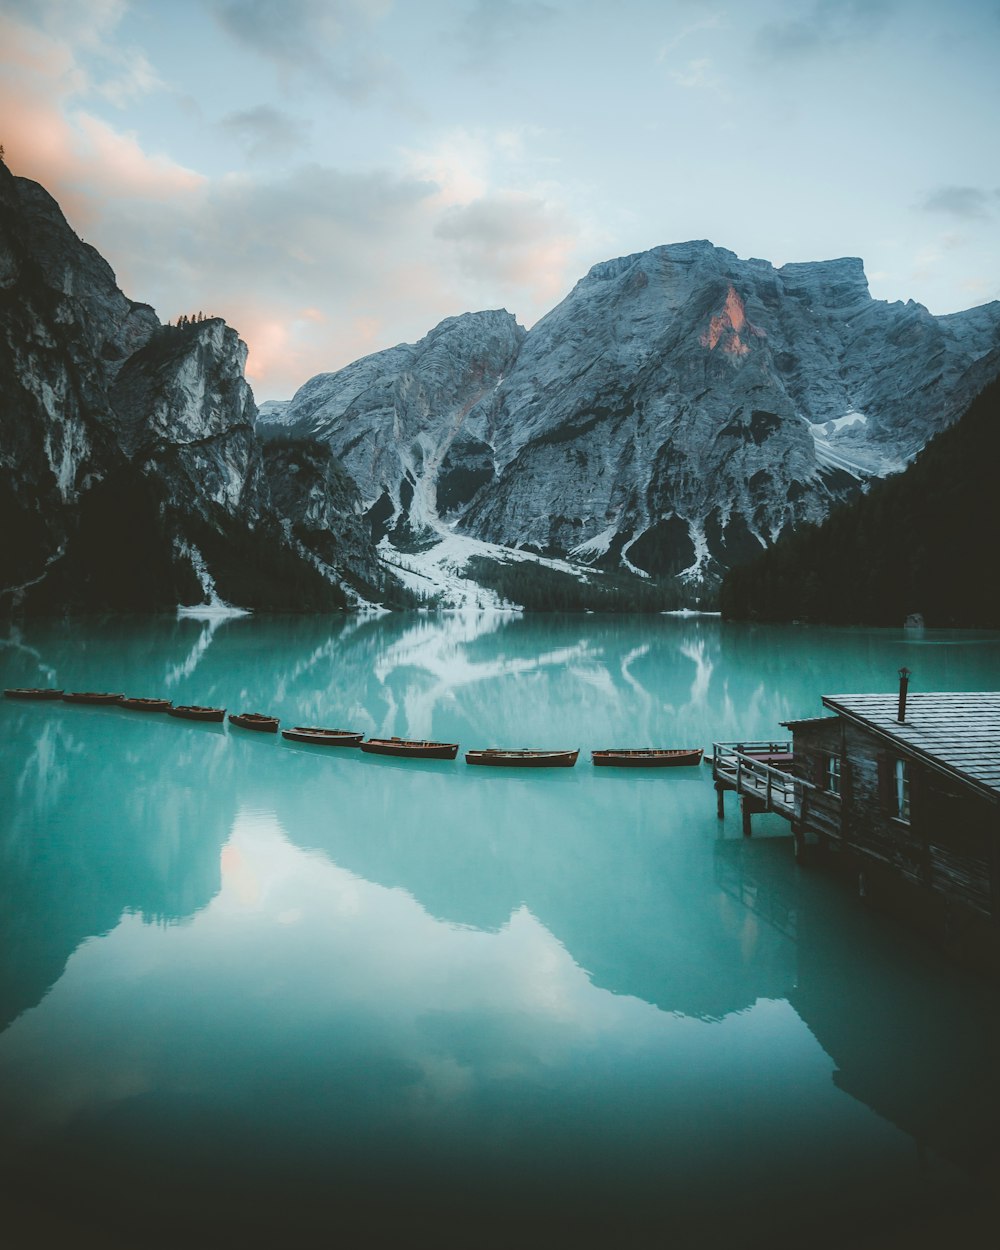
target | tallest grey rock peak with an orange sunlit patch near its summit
x=683, y=408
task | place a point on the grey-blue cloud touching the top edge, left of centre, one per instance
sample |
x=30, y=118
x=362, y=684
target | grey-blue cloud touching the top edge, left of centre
x=328, y=41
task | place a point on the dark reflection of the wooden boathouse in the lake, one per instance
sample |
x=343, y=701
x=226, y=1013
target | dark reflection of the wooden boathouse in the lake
x=912, y=1036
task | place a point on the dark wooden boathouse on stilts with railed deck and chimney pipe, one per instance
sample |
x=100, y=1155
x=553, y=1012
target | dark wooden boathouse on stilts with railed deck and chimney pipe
x=902, y=792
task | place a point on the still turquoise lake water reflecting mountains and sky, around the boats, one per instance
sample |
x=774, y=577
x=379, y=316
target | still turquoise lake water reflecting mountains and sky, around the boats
x=261, y=992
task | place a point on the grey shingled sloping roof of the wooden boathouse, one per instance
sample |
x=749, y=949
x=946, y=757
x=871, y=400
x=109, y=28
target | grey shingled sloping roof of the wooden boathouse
x=954, y=733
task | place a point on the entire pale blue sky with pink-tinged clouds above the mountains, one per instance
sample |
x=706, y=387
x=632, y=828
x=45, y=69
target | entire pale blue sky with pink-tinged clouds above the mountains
x=336, y=177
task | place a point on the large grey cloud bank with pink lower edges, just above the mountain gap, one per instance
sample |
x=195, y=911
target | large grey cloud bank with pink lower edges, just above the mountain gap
x=324, y=267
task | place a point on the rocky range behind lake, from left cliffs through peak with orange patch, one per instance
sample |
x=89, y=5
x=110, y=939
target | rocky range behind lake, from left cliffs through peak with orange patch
x=677, y=414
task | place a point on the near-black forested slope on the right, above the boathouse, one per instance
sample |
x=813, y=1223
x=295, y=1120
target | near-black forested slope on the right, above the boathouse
x=922, y=542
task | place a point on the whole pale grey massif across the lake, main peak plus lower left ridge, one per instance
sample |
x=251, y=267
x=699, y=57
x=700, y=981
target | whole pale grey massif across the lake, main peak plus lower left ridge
x=674, y=416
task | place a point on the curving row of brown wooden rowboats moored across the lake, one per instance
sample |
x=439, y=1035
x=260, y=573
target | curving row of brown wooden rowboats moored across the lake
x=403, y=748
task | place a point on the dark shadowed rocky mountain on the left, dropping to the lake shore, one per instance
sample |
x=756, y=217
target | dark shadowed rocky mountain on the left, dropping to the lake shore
x=131, y=469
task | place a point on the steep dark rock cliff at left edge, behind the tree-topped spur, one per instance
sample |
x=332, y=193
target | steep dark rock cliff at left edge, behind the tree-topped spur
x=58, y=353
